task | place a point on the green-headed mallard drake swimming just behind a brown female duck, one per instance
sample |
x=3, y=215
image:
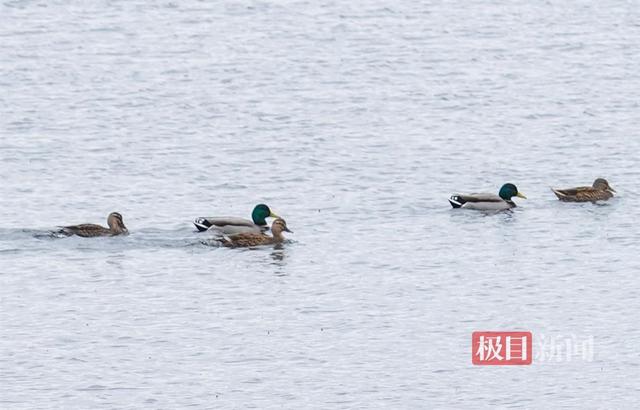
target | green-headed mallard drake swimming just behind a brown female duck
x=230, y=225
